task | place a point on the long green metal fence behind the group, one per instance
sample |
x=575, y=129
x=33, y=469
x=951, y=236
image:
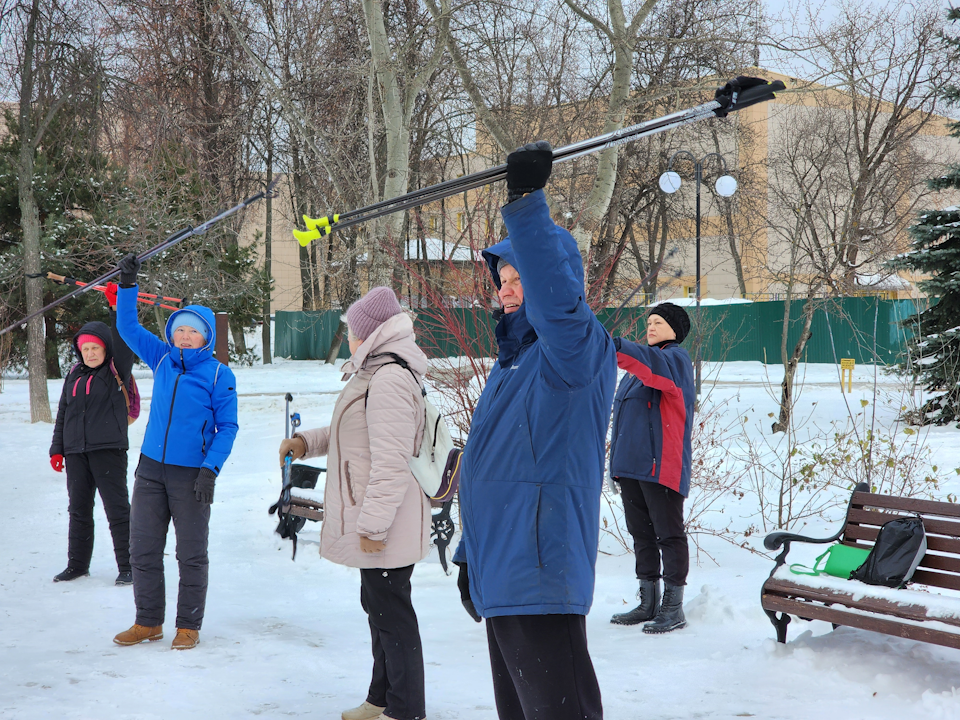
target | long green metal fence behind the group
x=749, y=331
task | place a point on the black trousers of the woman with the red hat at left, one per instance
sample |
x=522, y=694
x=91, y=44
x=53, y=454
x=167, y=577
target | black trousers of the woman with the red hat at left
x=87, y=473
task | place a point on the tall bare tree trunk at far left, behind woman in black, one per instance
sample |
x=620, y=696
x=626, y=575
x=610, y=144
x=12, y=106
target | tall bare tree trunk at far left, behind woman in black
x=30, y=224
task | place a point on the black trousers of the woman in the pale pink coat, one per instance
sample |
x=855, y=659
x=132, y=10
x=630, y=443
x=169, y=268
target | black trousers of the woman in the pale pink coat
x=397, y=683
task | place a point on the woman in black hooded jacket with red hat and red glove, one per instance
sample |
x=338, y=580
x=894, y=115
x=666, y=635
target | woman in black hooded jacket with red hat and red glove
x=91, y=436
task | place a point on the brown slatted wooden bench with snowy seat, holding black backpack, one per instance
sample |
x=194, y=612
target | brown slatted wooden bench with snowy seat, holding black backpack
x=901, y=612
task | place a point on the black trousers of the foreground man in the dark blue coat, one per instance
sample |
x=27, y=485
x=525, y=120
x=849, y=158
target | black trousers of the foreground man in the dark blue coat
x=542, y=669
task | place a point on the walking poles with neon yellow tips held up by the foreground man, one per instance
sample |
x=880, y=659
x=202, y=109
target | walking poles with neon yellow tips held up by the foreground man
x=737, y=94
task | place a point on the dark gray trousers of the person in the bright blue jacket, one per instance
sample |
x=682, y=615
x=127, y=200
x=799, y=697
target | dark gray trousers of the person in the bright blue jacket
x=162, y=492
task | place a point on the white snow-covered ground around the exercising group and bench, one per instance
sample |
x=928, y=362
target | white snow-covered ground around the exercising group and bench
x=289, y=639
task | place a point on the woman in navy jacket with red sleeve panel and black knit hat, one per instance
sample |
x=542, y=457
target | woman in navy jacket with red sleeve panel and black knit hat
x=651, y=458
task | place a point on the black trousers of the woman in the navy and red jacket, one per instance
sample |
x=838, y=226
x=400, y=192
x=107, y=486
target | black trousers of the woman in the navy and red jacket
x=654, y=515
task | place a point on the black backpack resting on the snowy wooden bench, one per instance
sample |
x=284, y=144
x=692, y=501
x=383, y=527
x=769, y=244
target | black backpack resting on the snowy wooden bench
x=899, y=548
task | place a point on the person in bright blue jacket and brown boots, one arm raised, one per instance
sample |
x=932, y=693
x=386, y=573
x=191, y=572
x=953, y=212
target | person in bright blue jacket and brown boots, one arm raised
x=190, y=433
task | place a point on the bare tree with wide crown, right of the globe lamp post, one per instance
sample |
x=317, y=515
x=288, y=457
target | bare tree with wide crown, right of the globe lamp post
x=850, y=168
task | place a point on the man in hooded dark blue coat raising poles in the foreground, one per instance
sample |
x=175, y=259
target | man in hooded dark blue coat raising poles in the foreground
x=532, y=468
